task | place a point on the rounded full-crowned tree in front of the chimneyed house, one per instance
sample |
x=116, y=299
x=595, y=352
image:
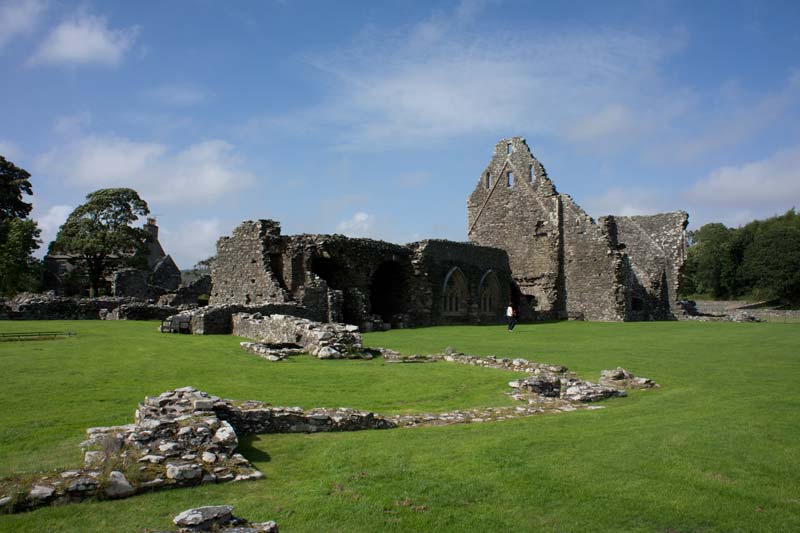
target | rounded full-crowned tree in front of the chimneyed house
x=99, y=235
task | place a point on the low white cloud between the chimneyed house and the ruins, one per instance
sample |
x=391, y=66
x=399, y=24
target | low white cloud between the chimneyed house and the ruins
x=192, y=241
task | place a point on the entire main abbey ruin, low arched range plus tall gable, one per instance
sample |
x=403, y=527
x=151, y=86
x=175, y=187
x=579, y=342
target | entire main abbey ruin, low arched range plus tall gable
x=529, y=245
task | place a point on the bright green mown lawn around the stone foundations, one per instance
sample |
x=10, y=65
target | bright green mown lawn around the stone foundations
x=715, y=449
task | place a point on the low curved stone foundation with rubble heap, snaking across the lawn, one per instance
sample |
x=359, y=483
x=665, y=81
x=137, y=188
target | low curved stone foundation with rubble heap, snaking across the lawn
x=187, y=437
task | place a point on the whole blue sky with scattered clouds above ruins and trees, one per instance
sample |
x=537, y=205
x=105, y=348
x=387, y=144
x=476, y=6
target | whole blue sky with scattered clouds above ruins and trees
x=377, y=118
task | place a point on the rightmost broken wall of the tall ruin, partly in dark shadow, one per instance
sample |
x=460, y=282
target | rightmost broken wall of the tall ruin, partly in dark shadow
x=656, y=248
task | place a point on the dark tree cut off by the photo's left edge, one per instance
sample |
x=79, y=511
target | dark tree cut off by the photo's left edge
x=19, y=237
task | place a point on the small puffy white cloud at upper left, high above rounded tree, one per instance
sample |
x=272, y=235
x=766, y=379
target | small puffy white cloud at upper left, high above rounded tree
x=85, y=39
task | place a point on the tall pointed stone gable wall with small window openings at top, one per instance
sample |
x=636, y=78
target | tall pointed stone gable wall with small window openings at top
x=523, y=220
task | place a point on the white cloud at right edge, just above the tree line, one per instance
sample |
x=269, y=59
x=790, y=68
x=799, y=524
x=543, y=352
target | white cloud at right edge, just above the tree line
x=771, y=184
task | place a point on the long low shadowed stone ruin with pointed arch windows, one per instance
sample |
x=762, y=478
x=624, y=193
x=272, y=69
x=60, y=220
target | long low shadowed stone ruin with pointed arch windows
x=369, y=283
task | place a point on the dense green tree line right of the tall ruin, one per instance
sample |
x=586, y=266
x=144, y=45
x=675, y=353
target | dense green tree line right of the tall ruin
x=760, y=260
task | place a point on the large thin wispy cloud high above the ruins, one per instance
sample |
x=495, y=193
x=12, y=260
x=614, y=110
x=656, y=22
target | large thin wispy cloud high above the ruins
x=440, y=79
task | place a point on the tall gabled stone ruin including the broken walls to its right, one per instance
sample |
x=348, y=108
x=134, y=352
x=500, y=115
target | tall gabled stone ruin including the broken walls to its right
x=564, y=264
